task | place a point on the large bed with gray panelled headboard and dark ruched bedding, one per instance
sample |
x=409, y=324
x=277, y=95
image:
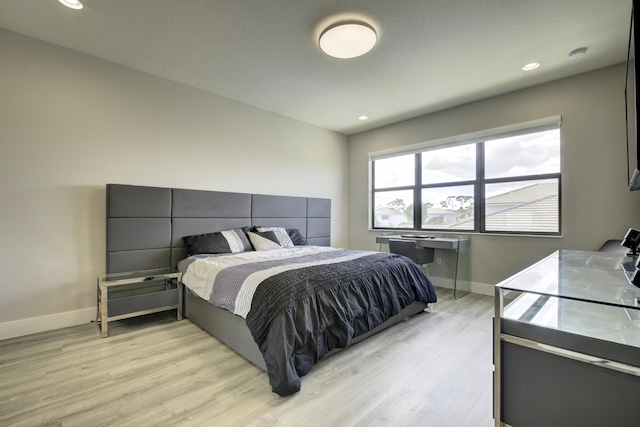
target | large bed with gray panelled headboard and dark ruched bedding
x=147, y=226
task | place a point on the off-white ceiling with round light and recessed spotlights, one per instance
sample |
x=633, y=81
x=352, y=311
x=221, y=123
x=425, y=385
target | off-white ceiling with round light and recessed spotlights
x=431, y=54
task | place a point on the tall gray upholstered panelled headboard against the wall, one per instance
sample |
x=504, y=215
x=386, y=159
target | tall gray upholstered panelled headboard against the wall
x=145, y=225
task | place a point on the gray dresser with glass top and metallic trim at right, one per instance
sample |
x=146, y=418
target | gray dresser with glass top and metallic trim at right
x=567, y=343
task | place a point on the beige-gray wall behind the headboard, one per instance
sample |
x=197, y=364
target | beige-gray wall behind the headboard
x=72, y=123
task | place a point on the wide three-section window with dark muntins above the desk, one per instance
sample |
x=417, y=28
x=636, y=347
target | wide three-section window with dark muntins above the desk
x=504, y=181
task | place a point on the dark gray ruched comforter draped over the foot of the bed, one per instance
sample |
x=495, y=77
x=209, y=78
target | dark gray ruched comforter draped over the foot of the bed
x=298, y=316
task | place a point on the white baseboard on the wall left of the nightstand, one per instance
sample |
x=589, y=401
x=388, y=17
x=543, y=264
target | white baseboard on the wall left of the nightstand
x=18, y=328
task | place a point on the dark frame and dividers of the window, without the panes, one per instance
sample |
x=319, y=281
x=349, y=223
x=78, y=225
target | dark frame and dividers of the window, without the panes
x=479, y=183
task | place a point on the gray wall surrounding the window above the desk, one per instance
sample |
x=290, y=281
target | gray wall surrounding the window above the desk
x=596, y=205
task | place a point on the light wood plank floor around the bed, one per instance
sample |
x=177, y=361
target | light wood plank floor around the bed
x=434, y=369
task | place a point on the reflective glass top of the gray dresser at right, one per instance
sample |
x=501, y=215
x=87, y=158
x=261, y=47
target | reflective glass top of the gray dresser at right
x=597, y=277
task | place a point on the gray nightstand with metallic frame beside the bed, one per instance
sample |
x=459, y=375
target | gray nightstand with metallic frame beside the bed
x=134, y=293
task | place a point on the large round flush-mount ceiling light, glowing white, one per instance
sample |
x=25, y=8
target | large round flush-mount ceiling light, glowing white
x=348, y=39
